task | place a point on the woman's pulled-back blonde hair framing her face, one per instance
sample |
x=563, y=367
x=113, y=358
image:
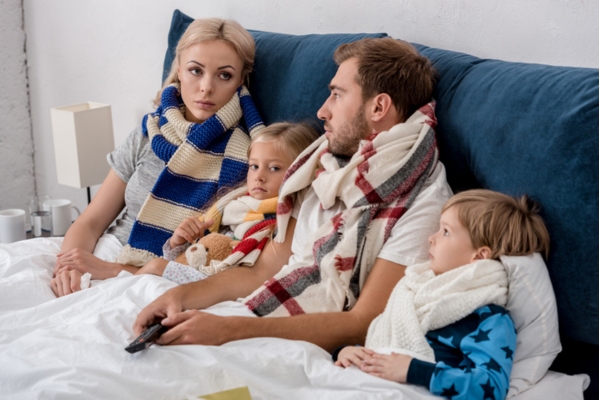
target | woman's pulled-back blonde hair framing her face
x=202, y=30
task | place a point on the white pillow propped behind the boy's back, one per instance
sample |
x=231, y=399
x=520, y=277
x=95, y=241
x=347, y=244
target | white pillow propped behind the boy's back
x=532, y=306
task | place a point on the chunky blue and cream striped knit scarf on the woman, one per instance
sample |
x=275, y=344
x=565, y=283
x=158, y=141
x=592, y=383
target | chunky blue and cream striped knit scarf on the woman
x=200, y=159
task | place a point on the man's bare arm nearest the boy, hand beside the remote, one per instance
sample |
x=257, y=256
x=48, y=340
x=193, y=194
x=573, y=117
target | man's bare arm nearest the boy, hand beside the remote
x=327, y=330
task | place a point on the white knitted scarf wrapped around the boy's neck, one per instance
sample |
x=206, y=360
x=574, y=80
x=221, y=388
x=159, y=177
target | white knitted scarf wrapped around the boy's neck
x=422, y=302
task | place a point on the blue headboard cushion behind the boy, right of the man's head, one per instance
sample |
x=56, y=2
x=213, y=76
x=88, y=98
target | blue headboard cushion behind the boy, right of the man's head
x=530, y=129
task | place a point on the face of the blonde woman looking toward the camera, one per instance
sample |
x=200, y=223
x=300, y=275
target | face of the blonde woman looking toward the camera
x=209, y=72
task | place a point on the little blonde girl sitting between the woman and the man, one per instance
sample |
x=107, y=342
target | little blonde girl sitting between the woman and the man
x=270, y=154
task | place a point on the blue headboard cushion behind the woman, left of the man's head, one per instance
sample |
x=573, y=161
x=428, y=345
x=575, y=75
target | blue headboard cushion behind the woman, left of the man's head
x=291, y=72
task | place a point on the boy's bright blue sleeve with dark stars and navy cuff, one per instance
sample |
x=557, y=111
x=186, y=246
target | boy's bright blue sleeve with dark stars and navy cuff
x=488, y=363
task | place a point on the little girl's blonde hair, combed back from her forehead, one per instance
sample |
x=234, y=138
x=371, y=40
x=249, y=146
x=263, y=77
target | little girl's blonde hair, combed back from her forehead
x=289, y=138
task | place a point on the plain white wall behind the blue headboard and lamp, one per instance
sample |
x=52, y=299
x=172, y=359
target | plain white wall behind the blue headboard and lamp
x=111, y=51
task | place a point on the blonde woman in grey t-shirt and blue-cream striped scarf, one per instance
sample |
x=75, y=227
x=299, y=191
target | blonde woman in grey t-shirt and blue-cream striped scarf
x=161, y=175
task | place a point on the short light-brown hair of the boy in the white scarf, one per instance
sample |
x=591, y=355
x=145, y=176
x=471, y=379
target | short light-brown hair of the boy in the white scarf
x=507, y=225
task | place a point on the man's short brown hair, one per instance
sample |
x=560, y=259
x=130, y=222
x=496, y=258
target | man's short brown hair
x=387, y=65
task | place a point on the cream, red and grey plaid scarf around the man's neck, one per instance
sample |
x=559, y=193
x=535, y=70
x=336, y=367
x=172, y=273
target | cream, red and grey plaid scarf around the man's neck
x=377, y=186
